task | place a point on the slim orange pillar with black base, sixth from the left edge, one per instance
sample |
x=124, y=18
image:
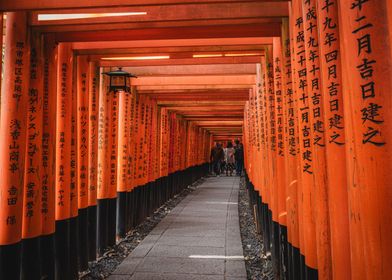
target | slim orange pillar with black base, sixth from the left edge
x=92, y=183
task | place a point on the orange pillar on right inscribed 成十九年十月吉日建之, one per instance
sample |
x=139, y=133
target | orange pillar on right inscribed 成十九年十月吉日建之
x=319, y=201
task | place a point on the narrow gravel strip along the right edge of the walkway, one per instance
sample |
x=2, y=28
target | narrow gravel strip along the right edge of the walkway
x=258, y=265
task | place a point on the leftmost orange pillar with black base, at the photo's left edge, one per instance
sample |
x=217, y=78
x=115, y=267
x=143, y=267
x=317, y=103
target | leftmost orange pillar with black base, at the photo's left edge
x=13, y=143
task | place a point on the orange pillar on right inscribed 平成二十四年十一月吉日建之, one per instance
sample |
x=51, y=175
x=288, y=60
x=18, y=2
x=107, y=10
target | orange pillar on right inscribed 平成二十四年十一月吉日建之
x=307, y=222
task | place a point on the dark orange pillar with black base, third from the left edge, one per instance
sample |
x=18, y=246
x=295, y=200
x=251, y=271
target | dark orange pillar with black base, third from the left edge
x=49, y=158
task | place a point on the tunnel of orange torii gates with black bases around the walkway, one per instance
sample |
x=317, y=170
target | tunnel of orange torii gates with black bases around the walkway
x=305, y=84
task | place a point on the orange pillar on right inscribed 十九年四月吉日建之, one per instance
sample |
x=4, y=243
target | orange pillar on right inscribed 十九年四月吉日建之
x=334, y=122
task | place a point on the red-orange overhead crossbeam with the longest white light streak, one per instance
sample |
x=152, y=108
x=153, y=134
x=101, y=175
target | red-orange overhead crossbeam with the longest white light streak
x=176, y=12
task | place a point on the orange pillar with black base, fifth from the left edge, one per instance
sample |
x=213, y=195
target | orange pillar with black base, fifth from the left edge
x=82, y=157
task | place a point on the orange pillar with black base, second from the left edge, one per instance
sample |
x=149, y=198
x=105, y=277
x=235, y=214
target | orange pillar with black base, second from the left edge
x=32, y=215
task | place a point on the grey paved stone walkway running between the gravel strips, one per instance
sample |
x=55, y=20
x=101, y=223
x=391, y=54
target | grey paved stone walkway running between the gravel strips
x=199, y=240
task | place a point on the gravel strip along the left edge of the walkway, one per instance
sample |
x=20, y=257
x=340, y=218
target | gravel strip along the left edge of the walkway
x=103, y=267
